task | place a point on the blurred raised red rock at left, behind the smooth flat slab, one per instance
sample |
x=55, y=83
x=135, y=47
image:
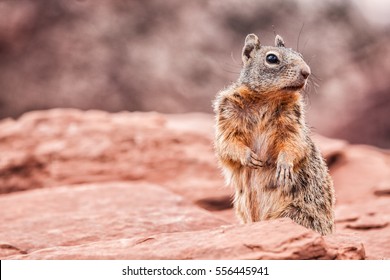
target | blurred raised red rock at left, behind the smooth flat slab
x=63, y=147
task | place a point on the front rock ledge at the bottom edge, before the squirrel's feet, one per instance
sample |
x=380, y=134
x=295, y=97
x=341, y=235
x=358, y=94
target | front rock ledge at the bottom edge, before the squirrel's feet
x=277, y=239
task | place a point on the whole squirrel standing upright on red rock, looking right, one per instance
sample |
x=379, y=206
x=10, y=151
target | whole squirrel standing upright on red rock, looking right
x=263, y=144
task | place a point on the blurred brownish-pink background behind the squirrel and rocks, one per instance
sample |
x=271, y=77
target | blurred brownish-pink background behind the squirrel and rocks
x=173, y=56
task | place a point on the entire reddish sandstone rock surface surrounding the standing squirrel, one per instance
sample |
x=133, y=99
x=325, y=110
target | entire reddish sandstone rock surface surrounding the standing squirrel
x=94, y=185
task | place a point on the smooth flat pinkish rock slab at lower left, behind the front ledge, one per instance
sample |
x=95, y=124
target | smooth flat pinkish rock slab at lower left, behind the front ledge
x=67, y=216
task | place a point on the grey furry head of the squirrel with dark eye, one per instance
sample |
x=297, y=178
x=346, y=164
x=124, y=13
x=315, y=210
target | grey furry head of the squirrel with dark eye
x=272, y=68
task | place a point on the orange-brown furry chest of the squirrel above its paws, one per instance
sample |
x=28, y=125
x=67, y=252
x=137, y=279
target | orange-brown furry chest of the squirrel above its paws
x=263, y=122
